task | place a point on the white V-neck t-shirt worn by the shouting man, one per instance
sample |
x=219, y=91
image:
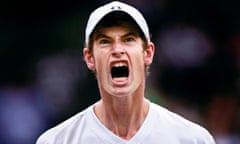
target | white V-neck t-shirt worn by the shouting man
x=160, y=127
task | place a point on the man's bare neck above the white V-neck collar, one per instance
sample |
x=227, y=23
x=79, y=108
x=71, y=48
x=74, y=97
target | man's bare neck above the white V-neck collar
x=123, y=117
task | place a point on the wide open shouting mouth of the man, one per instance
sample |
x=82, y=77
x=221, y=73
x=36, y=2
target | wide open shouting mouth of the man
x=119, y=70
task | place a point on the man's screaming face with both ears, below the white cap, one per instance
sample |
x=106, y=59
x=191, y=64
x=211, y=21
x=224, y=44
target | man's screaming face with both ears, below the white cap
x=119, y=60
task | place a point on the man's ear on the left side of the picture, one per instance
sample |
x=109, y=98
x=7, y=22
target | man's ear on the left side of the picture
x=88, y=57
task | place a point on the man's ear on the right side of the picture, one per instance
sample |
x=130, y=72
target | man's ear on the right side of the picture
x=149, y=53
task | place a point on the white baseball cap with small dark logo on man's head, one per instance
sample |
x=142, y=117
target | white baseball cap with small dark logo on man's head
x=102, y=11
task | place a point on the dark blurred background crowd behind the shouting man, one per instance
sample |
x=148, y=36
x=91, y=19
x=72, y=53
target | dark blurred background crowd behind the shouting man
x=44, y=80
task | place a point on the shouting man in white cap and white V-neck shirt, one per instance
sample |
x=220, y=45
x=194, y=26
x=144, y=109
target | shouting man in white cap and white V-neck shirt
x=119, y=51
